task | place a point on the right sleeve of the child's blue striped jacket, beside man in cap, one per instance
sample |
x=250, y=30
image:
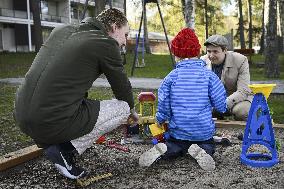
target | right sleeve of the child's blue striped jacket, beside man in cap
x=217, y=93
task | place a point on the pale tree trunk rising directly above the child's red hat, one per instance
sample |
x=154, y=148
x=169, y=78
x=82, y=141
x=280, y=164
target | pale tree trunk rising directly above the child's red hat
x=189, y=13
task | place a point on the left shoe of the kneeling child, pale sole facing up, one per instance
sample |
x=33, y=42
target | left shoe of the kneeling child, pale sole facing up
x=150, y=156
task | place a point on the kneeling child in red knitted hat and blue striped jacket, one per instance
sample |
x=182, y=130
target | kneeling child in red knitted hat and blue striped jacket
x=185, y=100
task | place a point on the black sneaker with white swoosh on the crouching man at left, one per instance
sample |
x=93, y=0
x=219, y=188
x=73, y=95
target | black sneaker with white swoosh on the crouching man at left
x=64, y=162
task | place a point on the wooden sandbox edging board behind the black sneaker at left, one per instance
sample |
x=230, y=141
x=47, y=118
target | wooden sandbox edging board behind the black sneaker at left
x=15, y=158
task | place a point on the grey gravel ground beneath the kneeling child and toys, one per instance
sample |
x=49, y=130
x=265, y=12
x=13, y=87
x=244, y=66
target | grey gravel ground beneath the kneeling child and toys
x=182, y=172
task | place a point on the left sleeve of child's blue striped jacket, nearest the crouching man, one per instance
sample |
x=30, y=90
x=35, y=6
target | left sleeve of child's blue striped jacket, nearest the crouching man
x=164, y=109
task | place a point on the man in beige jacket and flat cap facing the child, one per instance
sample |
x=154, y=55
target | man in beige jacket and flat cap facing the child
x=233, y=70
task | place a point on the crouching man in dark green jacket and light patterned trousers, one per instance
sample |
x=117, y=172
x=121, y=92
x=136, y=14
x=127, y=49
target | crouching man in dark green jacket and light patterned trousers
x=51, y=105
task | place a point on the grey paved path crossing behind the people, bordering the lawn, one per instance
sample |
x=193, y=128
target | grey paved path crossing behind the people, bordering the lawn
x=148, y=83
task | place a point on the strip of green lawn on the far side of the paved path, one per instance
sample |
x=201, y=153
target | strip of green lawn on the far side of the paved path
x=157, y=66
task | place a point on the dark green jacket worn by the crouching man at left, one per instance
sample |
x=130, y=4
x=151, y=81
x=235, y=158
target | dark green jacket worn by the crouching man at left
x=51, y=105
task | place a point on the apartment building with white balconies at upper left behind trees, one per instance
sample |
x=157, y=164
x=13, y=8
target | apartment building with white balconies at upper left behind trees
x=16, y=20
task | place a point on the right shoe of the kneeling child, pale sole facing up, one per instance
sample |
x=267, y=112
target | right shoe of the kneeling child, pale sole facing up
x=205, y=161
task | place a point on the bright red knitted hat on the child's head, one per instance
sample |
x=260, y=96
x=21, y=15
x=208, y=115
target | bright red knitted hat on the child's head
x=185, y=44
